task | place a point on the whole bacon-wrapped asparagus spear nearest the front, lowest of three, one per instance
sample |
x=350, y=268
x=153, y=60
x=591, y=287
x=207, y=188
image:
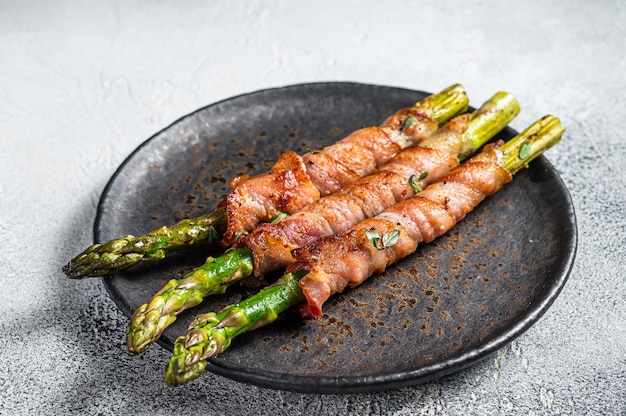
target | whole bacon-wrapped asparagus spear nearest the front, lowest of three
x=334, y=263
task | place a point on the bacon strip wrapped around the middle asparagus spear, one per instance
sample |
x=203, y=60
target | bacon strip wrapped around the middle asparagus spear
x=272, y=244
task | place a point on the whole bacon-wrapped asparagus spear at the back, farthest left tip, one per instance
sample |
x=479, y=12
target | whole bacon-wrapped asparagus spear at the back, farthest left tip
x=291, y=184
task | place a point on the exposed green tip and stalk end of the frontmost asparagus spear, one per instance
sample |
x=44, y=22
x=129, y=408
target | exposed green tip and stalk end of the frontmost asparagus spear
x=211, y=334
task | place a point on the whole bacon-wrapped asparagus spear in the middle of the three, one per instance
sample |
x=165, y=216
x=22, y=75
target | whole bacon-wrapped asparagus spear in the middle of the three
x=269, y=246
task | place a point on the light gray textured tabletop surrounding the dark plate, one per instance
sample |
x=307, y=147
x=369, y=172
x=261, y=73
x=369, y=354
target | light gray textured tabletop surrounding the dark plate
x=82, y=84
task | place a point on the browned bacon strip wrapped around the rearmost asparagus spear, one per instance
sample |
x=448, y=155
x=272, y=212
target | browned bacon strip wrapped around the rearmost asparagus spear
x=296, y=181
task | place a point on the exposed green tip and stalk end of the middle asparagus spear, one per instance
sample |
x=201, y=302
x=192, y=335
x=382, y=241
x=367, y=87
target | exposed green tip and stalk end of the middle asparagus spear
x=150, y=319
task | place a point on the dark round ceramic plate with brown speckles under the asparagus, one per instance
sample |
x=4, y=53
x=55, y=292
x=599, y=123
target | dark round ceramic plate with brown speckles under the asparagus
x=451, y=304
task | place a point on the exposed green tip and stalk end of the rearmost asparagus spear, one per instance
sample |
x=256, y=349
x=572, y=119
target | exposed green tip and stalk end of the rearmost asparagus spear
x=110, y=257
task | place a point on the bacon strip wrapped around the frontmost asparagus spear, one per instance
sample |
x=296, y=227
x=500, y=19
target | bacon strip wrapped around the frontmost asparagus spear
x=346, y=260
